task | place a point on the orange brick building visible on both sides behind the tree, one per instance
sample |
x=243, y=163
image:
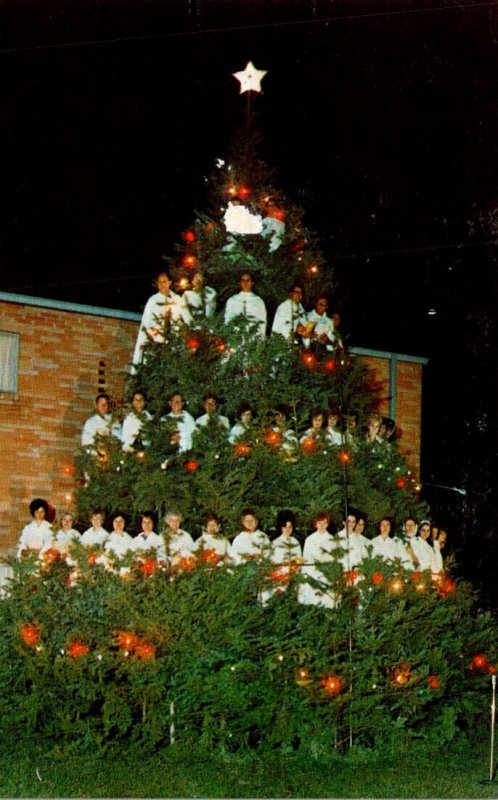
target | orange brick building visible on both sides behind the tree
x=61, y=354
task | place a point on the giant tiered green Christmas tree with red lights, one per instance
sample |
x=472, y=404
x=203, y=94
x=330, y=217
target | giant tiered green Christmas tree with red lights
x=201, y=651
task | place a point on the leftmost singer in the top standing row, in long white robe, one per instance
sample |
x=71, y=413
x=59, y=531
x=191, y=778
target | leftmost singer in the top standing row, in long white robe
x=162, y=310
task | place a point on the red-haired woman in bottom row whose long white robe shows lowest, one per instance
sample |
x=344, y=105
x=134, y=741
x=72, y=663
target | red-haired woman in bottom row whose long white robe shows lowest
x=319, y=547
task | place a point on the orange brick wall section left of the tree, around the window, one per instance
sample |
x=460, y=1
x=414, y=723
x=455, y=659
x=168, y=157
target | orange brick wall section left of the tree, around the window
x=62, y=356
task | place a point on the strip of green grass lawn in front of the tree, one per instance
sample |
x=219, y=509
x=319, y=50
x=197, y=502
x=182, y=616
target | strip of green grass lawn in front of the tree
x=32, y=769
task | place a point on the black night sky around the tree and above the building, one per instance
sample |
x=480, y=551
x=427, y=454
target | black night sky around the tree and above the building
x=381, y=119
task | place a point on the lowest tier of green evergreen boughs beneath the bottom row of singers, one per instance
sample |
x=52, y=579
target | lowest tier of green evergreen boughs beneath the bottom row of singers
x=192, y=654
